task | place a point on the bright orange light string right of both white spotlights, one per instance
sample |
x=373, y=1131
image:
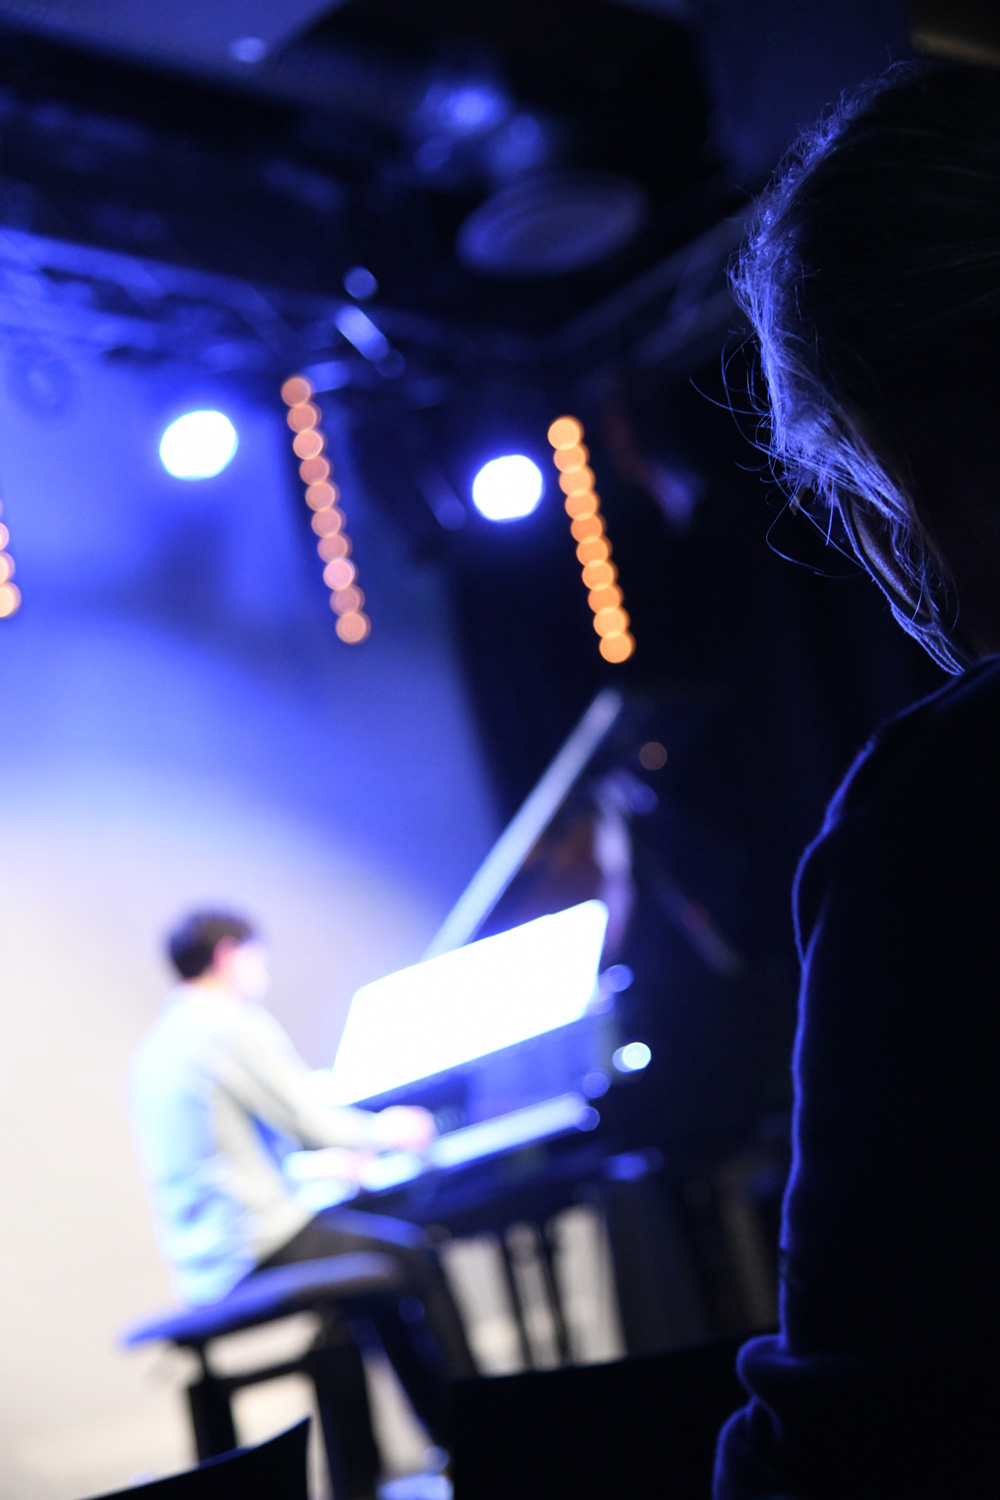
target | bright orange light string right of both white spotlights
x=593, y=545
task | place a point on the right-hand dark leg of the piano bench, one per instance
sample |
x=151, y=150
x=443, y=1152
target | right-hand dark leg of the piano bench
x=337, y=1370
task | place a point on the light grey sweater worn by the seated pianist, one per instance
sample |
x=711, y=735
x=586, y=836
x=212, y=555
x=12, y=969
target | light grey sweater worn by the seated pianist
x=218, y=1097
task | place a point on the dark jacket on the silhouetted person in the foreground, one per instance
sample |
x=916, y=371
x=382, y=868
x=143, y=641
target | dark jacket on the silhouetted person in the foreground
x=884, y=1379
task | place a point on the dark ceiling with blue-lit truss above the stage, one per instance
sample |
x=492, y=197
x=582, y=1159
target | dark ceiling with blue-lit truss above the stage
x=353, y=143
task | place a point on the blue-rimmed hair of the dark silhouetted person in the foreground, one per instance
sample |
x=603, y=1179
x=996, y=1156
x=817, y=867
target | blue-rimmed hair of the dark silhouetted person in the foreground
x=872, y=280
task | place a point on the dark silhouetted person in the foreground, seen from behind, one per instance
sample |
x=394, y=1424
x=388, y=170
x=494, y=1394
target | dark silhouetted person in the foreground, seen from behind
x=873, y=284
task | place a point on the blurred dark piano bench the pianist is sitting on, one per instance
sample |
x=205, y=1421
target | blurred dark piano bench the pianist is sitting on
x=334, y=1363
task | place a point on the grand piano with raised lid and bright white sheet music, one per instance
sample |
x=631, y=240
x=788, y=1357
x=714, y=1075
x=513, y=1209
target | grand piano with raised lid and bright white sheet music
x=537, y=1117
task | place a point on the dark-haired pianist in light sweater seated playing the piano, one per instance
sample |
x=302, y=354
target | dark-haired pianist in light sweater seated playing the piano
x=220, y=1097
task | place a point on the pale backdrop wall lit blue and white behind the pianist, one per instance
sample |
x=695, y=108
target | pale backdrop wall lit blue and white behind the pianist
x=181, y=725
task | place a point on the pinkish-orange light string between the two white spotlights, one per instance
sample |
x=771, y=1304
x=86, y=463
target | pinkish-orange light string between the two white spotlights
x=328, y=518
